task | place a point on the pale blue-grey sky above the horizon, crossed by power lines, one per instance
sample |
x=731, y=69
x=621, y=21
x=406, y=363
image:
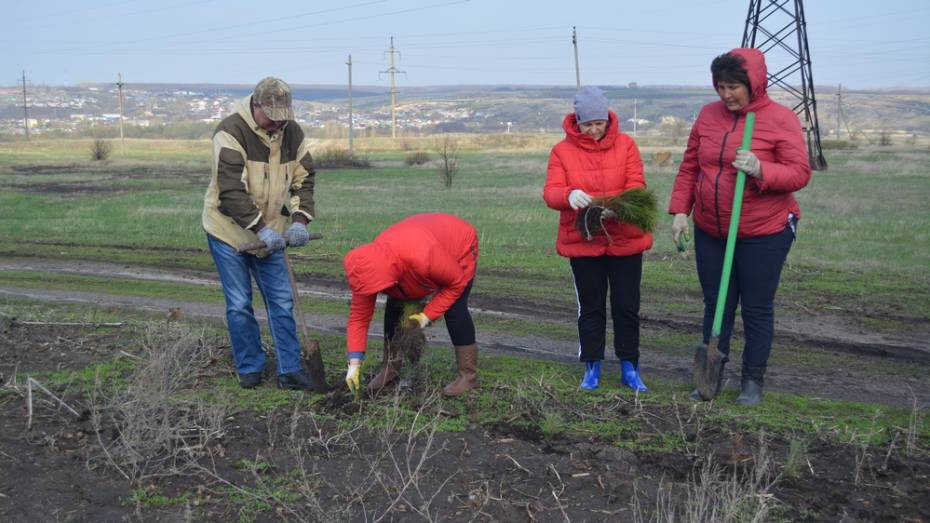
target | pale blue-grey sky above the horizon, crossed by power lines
x=442, y=42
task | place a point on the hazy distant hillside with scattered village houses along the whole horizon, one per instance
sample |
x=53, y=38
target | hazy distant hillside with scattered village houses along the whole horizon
x=183, y=111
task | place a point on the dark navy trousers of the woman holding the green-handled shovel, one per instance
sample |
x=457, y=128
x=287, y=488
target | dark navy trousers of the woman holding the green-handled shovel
x=757, y=264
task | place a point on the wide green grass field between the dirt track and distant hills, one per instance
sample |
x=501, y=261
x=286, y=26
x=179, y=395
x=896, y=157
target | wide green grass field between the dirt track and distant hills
x=863, y=232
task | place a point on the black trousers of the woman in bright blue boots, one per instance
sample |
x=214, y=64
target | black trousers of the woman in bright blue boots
x=594, y=276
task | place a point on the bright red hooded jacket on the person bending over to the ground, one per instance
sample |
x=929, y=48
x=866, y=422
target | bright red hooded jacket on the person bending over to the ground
x=410, y=260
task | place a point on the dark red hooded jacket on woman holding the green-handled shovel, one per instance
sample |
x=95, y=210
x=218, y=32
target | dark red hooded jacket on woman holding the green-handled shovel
x=706, y=181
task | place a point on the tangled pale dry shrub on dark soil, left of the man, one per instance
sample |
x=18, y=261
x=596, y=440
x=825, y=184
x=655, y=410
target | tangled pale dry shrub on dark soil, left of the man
x=148, y=429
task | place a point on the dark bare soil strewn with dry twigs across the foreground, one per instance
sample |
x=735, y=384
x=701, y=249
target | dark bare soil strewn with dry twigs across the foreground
x=506, y=472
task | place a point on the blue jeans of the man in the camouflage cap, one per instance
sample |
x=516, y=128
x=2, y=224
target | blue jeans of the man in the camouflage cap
x=236, y=272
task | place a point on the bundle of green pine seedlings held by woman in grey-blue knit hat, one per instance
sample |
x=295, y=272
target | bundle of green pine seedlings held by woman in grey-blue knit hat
x=637, y=207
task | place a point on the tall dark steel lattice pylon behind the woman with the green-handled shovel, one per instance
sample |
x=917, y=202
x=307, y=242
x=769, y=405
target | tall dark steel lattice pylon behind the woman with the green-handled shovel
x=778, y=29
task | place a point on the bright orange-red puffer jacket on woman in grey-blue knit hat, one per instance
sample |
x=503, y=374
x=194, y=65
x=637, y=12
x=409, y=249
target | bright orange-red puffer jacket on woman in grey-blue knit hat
x=604, y=167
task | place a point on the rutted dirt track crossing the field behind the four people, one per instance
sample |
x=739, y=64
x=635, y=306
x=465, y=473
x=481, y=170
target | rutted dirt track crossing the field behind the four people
x=825, y=331
